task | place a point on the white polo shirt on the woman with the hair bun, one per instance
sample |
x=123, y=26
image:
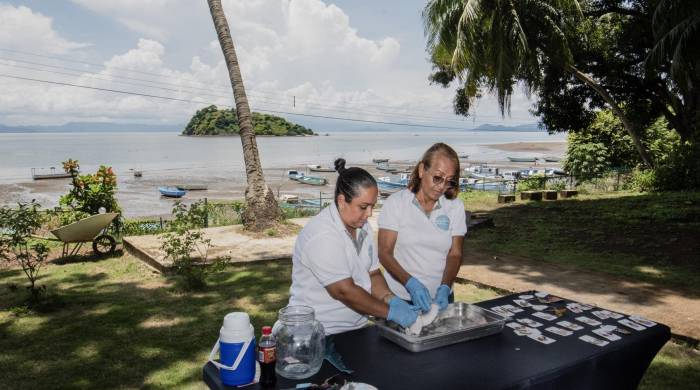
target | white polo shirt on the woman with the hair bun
x=325, y=253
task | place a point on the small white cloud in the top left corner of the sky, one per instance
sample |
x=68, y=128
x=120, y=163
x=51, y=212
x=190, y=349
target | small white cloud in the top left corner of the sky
x=23, y=29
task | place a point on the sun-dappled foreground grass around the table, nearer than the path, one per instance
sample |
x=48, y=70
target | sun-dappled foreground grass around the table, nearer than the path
x=115, y=323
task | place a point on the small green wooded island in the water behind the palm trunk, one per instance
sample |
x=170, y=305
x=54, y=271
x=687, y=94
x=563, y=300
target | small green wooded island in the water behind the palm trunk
x=212, y=121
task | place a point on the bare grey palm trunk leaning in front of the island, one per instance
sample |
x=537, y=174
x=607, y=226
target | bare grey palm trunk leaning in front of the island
x=261, y=209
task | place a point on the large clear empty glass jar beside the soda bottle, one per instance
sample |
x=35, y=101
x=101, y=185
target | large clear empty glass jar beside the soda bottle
x=301, y=343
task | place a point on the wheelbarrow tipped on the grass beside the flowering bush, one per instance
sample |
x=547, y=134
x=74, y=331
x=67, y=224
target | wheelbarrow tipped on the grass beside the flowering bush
x=87, y=229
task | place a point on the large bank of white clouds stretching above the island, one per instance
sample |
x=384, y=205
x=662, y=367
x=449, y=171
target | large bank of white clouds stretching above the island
x=303, y=48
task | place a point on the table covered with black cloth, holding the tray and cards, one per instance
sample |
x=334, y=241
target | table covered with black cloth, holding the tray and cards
x=502, y=361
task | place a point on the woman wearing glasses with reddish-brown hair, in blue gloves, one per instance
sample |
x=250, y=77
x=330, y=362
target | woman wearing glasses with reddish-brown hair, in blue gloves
x=421, y=231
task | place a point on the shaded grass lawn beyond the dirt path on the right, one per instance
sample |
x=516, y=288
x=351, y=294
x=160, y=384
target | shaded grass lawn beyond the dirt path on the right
x=648, y=237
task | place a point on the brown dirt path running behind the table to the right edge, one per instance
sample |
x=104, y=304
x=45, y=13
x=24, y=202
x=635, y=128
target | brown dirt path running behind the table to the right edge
x=679, y=310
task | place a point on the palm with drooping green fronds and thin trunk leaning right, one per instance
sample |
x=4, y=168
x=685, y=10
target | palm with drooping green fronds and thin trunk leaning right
x=497, y=43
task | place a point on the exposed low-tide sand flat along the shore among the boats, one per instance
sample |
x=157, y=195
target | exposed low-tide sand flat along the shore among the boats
x=139, y=197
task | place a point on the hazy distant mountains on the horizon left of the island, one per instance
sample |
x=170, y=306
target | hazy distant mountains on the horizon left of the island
x=84, y=127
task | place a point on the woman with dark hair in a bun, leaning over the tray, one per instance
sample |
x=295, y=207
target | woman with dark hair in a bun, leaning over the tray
x=335, y=268
